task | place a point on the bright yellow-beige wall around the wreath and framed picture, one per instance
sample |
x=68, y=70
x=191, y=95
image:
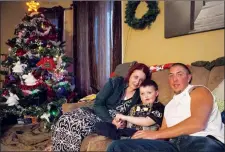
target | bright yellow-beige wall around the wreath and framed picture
x=149, y=45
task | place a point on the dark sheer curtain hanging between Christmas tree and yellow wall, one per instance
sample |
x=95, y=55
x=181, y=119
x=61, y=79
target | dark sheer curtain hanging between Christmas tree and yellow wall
x=97, y=43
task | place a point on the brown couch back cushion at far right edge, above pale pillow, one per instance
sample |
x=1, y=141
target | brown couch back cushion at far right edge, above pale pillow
x=215, y=77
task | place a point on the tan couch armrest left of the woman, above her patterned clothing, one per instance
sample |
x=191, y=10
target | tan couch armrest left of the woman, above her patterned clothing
x=67, y=107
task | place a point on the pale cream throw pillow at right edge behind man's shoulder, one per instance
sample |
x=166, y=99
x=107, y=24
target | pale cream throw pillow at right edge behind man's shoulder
x=218, y=92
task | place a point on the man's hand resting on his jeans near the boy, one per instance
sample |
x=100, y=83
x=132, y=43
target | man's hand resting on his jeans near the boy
x=145, y=134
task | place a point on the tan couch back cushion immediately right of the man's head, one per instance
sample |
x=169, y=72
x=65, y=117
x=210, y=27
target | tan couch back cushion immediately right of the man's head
x=200, y=75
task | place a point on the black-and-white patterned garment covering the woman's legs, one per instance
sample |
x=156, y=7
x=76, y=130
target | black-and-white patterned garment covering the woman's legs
x=71, y=129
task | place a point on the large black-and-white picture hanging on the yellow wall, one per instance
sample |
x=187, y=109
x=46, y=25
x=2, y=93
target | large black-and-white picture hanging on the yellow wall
x=188, y=17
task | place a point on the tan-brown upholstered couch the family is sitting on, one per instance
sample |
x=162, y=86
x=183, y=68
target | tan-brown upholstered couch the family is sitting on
x=201, y=75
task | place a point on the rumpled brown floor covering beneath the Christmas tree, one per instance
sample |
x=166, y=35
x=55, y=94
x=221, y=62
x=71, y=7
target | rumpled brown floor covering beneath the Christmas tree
x=32, y=137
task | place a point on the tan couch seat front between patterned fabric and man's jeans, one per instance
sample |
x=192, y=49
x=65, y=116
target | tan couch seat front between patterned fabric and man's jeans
x=95, y=142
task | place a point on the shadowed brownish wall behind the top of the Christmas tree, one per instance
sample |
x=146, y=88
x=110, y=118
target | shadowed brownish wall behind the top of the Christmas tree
x=13, y=11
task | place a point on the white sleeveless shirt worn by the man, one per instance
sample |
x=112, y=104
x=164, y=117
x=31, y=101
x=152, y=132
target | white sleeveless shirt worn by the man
x=178, y=109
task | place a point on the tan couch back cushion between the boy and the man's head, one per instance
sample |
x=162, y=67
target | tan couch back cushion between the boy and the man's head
x=165, y=93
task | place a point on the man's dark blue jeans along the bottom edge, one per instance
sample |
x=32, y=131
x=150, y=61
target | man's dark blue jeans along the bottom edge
x=179, y=144
